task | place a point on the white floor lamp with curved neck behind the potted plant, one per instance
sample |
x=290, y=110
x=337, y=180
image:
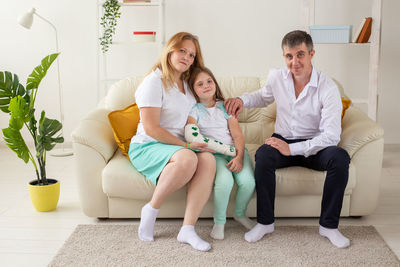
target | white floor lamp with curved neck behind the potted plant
x=26, y=21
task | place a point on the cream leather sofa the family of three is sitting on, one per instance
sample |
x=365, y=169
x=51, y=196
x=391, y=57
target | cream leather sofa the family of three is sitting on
x=110, y=187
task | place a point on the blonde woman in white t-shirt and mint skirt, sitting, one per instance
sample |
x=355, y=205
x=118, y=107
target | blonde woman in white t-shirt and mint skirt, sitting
x=158, y=150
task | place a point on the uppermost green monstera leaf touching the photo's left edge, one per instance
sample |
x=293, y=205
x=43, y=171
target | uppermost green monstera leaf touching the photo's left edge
x=9, y=88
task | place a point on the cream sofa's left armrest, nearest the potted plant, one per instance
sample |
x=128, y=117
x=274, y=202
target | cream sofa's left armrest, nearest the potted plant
x=94, y=145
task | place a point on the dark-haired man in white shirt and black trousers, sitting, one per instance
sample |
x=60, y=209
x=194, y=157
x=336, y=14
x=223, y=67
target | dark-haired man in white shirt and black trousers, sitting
x=307, y=131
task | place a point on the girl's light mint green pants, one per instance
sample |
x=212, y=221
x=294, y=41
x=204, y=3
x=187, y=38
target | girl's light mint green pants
x=223, y=186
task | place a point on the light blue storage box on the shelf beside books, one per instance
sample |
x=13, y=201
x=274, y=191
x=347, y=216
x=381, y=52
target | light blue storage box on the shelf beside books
x=330, y=34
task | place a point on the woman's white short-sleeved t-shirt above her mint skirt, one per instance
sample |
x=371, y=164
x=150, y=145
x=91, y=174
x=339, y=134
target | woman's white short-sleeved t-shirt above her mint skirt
x=175, y=106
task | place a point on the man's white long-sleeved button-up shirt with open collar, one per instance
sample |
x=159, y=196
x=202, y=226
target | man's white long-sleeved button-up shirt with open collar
x=314, y=115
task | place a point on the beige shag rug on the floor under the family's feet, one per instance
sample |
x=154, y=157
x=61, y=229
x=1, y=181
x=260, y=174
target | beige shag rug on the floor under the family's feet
x=118, y=245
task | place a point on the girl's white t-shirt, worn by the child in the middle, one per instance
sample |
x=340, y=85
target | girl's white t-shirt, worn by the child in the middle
x=213, y=122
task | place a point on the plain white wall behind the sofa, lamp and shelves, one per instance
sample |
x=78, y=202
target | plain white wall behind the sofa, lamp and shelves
x=237, y=38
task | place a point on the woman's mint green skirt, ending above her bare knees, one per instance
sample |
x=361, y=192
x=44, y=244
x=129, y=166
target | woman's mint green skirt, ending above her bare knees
x=150, y=158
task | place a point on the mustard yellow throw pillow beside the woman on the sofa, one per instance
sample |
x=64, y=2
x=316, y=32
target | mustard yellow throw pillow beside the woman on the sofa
x=124, y=125
